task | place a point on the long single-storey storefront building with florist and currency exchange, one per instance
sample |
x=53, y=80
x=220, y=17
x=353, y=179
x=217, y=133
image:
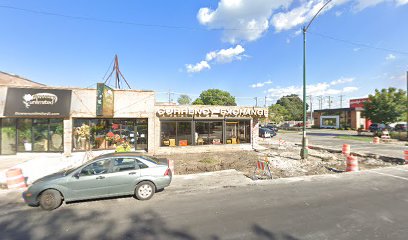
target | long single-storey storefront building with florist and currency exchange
x=44, y=119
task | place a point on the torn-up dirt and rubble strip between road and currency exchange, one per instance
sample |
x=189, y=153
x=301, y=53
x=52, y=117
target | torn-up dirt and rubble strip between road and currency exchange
x=284, y=162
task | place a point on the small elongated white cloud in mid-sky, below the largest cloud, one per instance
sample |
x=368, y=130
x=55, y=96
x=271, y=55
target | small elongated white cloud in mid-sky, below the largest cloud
x=222, y=56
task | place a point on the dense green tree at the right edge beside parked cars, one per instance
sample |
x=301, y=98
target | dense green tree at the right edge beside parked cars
x=386, y=106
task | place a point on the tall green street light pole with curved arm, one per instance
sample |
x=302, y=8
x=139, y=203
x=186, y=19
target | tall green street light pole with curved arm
x=304, y=151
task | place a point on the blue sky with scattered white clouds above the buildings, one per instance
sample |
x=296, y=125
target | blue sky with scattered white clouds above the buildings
x=250, y=48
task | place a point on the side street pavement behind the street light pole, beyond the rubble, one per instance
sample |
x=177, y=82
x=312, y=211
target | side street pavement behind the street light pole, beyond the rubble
x=328, y=138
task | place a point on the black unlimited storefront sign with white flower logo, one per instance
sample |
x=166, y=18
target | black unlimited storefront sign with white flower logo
x=29, y=102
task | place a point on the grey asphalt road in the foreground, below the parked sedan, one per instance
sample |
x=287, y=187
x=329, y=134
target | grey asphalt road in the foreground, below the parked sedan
x=364, y=205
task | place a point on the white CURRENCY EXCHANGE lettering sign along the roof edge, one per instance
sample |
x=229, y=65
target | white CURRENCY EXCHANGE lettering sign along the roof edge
x=234, y=112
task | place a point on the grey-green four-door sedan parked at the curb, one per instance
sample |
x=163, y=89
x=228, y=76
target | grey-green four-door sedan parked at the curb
x=109, y=175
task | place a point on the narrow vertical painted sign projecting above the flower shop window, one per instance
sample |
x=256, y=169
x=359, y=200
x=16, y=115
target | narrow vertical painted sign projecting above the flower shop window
x=104, y=100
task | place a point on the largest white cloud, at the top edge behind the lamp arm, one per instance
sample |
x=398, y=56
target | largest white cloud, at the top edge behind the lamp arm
x=248, y=20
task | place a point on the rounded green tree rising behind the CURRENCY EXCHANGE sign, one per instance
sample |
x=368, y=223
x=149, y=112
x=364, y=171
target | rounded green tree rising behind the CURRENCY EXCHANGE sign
x=215, y=97
